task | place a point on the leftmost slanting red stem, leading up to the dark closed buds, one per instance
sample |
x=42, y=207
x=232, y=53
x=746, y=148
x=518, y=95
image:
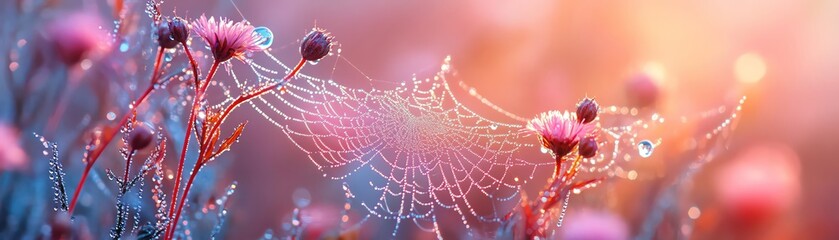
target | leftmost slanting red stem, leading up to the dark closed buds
x=109, y=135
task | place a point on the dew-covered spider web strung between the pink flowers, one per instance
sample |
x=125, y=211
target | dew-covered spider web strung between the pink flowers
x=415, y=151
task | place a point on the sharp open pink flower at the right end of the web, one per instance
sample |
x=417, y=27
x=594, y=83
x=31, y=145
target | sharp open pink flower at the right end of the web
x=559, y=131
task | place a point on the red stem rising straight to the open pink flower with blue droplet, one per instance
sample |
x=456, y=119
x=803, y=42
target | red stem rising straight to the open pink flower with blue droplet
x=199, y=95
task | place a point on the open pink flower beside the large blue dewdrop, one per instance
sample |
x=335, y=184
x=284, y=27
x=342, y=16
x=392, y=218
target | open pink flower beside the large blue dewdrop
x=227, y=39
